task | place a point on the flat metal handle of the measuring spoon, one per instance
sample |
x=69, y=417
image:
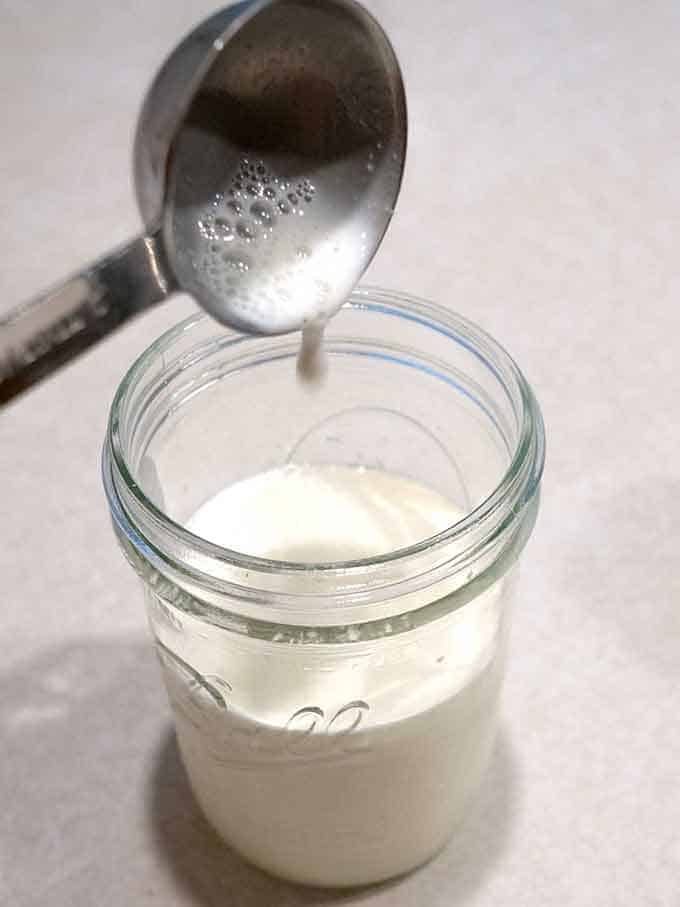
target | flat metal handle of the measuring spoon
x=45, y=333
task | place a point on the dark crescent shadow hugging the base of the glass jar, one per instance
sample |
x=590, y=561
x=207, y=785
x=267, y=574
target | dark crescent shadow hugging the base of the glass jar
x=215, y=876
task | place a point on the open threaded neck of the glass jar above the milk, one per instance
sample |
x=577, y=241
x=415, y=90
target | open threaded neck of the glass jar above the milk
x=416, y=352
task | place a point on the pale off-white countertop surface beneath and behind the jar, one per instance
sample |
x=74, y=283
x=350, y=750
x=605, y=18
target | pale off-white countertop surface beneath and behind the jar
x=543, y=200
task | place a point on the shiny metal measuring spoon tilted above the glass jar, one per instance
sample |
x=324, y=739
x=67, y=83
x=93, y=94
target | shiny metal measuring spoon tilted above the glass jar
x=272, y=139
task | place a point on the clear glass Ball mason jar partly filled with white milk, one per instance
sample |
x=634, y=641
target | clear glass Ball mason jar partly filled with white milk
x=334, y=718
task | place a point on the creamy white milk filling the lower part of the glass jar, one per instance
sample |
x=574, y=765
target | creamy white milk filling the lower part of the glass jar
x=337, y=764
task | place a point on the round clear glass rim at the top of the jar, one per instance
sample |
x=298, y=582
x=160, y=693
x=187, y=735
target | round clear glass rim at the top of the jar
x=512, y=493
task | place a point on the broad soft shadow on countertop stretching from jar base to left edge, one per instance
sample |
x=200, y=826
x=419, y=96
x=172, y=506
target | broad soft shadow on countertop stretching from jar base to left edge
x=97, y=807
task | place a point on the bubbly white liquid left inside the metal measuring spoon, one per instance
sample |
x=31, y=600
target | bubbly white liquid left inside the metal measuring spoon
x=271, y=255
